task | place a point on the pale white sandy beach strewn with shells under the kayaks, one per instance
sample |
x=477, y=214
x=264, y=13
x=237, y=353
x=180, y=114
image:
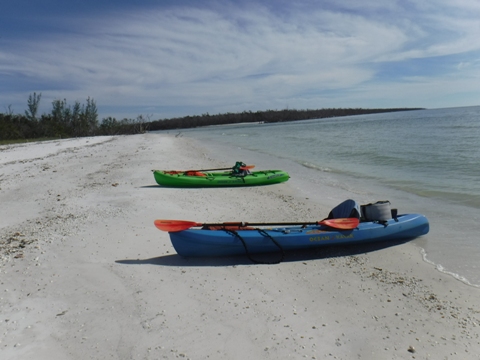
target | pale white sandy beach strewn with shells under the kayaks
x=84, y=274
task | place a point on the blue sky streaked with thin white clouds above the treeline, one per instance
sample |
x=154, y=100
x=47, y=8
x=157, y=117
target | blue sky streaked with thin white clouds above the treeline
x=174, y=58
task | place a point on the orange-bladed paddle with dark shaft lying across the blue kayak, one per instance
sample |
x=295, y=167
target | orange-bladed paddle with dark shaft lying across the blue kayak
x=180, y=225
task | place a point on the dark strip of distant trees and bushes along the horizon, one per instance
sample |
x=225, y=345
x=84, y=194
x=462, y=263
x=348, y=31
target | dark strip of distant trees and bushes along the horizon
x=79, y=120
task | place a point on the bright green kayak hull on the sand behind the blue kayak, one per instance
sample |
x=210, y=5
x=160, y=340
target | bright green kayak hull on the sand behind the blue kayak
x=219, y=179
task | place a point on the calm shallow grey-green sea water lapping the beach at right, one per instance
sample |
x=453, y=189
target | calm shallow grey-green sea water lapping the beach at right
x=423, y=161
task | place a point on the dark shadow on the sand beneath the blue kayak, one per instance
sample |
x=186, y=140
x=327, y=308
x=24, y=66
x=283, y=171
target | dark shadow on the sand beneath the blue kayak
x=272, y=258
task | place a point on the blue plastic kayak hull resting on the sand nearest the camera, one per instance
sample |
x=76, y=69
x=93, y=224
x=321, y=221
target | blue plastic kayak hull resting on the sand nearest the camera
x=204, y=242
